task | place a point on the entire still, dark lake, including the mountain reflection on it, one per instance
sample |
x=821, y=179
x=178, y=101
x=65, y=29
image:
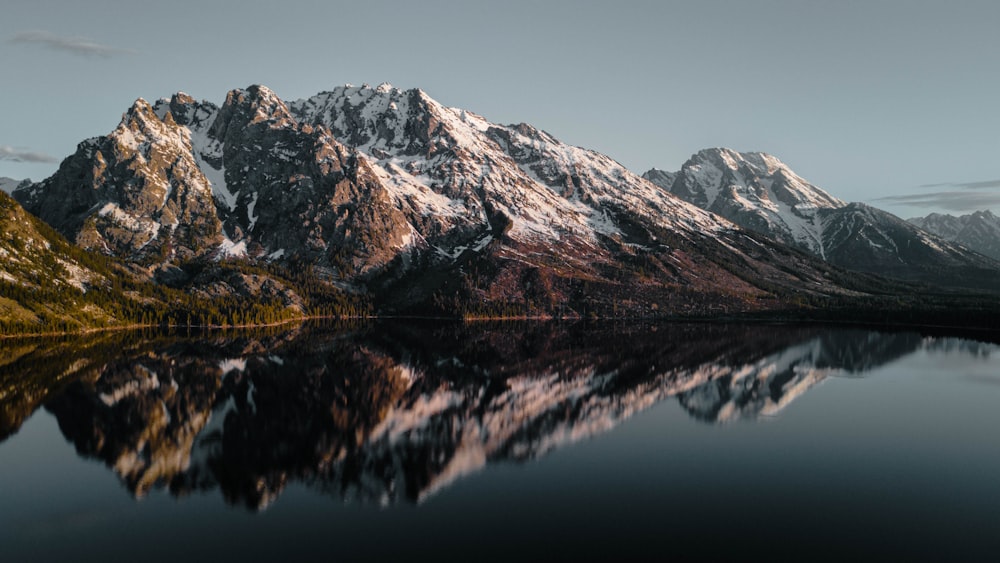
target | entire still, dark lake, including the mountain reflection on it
x=508, y=442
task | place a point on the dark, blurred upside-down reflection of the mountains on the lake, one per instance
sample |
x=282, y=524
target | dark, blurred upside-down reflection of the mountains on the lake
x=394, y=412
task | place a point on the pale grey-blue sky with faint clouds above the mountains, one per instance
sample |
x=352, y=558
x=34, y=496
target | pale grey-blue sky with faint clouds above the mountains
x=889, y=102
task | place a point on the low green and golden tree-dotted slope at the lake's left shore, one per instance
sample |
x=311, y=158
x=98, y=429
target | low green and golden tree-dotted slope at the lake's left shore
x=48, y=285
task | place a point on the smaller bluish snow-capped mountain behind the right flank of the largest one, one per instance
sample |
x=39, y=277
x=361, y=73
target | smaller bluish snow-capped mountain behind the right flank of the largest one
x=760, y=193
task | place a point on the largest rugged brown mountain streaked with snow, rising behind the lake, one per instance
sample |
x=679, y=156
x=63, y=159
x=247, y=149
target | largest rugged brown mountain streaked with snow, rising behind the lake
x=387, y=189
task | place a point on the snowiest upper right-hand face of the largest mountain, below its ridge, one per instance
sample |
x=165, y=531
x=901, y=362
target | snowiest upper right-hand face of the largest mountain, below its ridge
x=378, y=122
